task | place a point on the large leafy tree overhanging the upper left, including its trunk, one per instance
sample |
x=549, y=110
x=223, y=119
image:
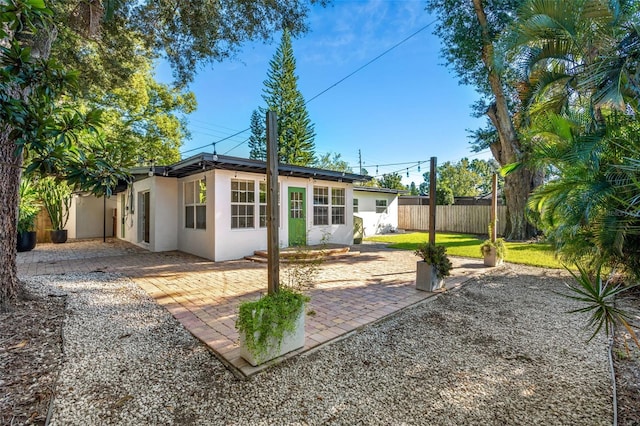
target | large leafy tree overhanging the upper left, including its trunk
x=107, y=43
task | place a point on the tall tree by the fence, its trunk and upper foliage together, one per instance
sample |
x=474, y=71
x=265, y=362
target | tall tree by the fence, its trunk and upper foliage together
x=471, y=35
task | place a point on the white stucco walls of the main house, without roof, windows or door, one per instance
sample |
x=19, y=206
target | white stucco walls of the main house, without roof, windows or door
x=218, y=241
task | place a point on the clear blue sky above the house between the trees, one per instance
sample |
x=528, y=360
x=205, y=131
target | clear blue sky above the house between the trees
x=403, y=108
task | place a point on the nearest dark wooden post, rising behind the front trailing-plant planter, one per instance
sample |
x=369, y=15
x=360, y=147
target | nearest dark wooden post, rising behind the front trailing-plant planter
x=273, y=248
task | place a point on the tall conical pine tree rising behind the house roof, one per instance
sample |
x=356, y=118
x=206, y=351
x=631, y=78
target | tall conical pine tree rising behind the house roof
x=295, y=130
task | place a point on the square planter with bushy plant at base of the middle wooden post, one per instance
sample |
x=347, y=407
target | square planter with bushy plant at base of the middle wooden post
x=434, y=266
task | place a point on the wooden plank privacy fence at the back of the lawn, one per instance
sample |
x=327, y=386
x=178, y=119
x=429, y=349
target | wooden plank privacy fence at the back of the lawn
x=464, y=219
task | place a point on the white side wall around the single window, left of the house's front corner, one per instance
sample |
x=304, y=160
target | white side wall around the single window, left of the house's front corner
x=200, y=242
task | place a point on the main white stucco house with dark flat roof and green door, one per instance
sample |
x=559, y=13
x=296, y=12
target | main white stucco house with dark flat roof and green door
x=214, y=206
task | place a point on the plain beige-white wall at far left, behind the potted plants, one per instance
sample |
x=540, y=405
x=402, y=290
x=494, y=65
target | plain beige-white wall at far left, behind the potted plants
x=86, y=216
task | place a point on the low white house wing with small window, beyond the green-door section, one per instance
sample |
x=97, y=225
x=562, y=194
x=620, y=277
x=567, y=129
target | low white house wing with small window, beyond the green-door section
x=378, y=209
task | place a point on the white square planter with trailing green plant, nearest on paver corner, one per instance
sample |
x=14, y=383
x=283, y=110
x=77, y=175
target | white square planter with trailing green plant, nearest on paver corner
x=271, y=326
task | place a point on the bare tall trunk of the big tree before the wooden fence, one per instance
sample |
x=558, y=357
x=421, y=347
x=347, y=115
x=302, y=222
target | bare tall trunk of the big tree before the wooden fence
x=518, y=184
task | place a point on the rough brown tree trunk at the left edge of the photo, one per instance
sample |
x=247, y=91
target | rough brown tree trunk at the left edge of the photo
x=9, y=186
